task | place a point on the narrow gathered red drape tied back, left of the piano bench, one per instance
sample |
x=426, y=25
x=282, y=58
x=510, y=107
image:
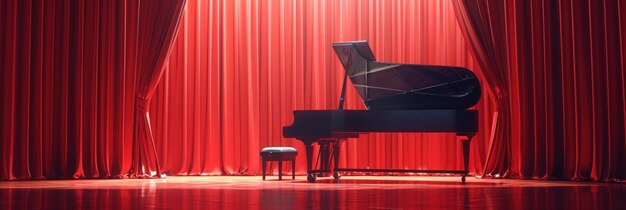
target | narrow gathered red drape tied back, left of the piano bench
x=156, y=28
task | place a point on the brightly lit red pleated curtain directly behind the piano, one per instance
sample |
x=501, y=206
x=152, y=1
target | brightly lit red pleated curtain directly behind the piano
x=239, y=68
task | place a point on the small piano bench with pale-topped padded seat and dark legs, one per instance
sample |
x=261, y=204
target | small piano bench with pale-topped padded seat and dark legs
x=279, y=154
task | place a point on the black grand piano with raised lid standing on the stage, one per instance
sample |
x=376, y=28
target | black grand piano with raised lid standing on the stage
x=399, y=98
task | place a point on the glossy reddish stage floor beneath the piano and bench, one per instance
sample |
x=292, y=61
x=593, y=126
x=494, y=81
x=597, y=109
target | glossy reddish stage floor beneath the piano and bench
x=351, y=192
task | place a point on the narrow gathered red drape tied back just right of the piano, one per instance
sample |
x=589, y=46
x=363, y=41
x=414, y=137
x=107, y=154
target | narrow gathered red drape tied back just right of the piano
x=485, y=30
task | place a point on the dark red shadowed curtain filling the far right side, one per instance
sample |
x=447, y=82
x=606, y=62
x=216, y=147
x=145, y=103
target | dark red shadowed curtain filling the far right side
x=564, y=63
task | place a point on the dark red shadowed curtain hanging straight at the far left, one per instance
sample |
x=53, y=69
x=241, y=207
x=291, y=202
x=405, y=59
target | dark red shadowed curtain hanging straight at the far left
x=68, y=85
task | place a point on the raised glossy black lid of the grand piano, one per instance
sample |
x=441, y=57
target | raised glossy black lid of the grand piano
x=405, y=86
